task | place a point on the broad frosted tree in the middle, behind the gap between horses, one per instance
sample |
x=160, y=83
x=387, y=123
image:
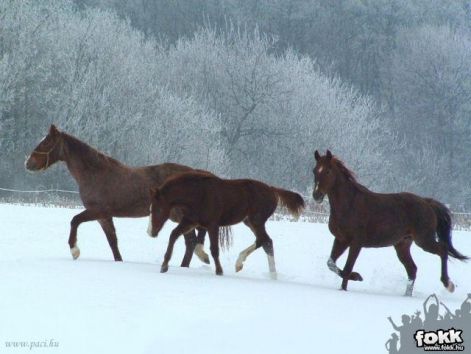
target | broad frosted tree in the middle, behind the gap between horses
x=275, y=110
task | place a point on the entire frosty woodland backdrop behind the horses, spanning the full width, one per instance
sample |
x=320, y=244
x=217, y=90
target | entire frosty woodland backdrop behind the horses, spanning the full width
x=245, y=88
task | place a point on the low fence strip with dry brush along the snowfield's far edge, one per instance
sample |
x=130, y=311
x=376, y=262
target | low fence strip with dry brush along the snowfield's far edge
x=70, y=199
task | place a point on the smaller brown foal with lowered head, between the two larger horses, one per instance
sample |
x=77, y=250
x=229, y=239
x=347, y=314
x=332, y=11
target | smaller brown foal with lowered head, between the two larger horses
x=211, y=202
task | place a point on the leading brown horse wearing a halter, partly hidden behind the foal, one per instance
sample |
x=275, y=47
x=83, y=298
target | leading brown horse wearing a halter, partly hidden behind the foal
x=107, y=188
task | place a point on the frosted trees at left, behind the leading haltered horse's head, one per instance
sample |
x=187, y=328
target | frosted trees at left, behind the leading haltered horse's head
x=95, y=76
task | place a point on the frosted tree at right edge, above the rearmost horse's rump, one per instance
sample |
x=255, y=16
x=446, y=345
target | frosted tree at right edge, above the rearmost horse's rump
x=432, y=88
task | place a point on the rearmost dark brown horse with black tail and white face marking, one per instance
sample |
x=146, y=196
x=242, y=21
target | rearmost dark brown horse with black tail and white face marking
x=361, y=218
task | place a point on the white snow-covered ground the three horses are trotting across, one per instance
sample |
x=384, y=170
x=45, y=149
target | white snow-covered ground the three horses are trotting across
x=94, y=305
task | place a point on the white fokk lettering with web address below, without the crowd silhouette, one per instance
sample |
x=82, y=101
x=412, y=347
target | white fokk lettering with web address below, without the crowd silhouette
x=449, y=340
